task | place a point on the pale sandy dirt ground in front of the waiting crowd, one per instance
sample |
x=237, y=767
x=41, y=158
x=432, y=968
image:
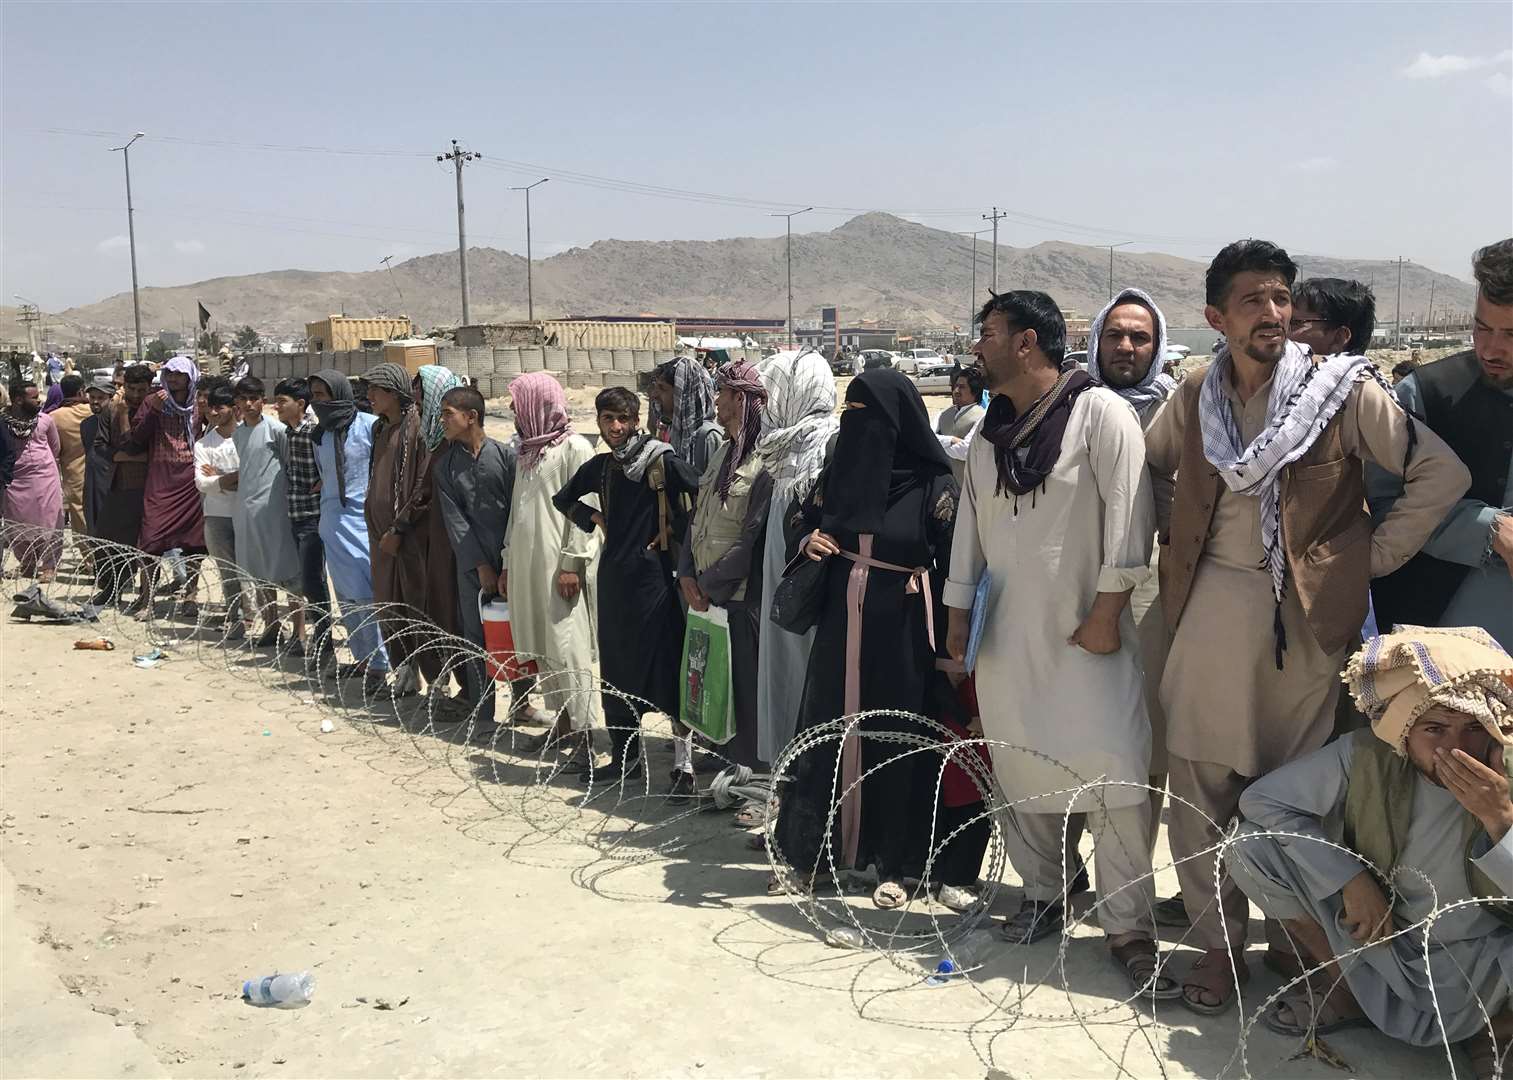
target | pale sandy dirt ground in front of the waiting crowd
x=169, y=833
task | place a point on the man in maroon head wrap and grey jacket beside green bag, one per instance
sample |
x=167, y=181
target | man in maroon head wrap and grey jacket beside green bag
x=722, y=556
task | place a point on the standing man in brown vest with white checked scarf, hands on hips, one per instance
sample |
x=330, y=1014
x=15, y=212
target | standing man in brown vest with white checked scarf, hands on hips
x=1267, y=551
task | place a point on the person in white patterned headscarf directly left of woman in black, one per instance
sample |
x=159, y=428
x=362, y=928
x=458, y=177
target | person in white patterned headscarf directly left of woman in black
x=798, y=426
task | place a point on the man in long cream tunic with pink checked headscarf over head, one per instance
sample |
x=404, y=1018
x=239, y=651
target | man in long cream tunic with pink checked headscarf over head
x=548, y=562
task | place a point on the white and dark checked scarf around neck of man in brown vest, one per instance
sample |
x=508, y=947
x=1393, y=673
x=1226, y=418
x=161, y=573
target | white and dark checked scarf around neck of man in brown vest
x=1305, y=397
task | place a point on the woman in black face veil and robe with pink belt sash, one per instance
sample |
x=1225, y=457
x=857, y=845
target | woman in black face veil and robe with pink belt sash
x=880, y=518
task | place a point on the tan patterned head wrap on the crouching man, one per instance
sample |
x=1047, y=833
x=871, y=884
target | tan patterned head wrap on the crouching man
x=1399, y=677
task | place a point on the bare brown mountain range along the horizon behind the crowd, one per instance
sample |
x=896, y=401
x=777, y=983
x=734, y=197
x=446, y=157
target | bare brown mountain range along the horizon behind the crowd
x=875, y=267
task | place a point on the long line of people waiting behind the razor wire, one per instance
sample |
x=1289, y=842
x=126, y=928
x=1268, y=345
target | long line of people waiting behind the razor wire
x=1110, y=586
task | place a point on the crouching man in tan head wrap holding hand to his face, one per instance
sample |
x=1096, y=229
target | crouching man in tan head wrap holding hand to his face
x=1390, y=852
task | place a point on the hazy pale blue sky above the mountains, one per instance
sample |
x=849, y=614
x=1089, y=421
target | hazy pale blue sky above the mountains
x=1367, y=131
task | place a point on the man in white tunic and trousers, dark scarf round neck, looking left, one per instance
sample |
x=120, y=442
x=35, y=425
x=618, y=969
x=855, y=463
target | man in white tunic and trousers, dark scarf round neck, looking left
x=1057, y=509
